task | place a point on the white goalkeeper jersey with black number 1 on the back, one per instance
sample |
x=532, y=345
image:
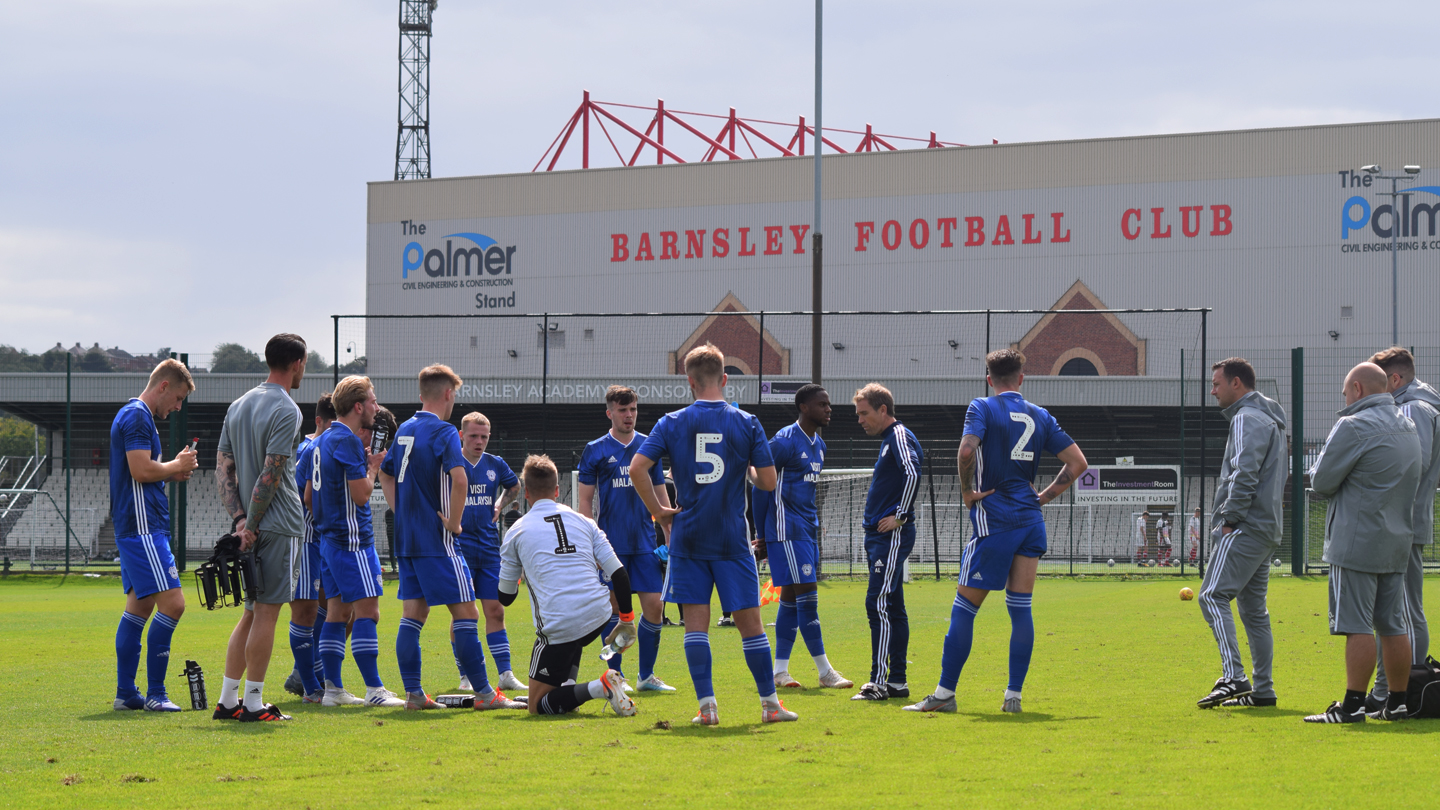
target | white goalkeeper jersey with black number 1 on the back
x=559, y=551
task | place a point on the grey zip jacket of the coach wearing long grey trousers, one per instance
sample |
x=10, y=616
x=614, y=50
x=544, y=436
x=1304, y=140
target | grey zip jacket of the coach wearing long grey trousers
x=1252, y=475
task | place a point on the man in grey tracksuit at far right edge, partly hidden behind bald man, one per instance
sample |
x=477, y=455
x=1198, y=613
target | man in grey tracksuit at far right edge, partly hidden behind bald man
x=1422, y=406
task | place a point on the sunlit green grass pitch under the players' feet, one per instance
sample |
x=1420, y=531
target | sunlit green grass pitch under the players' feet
x=1110, y=720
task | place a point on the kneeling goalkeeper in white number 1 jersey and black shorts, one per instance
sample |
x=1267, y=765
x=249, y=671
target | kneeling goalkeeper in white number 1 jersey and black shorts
x=558, y=551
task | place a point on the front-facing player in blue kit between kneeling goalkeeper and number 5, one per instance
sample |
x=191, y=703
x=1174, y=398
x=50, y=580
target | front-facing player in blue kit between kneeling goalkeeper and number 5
x=607, y=497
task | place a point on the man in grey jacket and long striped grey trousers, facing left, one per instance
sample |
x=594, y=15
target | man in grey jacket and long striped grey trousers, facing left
x=1246, y=524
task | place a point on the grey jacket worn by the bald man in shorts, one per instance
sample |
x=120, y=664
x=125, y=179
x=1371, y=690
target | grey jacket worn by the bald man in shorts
x=1370, y=471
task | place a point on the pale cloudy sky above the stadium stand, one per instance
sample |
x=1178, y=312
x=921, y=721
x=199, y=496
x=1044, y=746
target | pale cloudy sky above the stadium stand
x=182, y=175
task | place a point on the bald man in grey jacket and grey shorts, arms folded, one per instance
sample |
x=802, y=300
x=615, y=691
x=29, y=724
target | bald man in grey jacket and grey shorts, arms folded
x=1370, y=471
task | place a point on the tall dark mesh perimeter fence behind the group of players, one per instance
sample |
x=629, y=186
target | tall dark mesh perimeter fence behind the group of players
x=1130, y=386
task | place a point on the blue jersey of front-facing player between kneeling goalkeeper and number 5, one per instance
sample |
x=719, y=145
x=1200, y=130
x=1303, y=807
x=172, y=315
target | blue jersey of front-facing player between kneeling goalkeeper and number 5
x=620, y=512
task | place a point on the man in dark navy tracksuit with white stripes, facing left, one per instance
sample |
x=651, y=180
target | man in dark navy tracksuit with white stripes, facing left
x=889, y=524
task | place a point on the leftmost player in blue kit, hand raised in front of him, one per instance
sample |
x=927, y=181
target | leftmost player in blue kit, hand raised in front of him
x=140, y=514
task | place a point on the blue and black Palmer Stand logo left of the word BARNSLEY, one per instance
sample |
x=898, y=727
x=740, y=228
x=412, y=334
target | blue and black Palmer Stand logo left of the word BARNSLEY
x=467, y=260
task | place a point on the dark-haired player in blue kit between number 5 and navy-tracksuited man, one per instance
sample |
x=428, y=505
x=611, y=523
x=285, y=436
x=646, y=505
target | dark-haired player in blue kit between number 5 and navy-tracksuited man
x=788, y=522
